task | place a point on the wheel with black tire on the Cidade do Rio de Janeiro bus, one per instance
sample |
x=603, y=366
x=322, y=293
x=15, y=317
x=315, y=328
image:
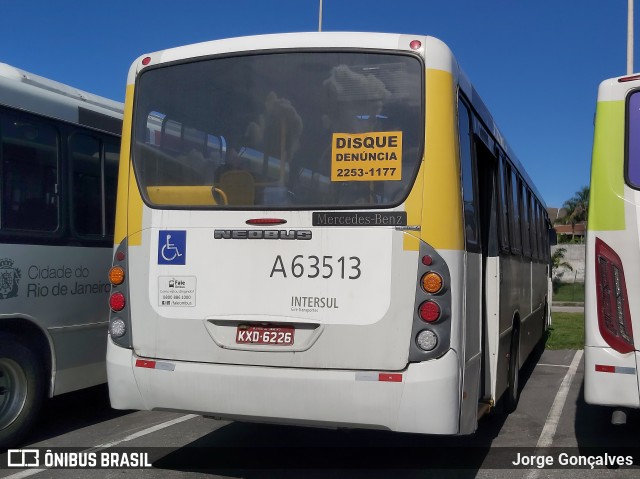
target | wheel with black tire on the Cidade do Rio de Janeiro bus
x=21, y=390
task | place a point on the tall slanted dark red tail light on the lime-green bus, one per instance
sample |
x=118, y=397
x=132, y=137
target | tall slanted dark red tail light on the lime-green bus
x=614, y=318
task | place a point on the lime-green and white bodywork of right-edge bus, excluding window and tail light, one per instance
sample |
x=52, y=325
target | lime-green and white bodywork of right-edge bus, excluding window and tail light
x=611, y=377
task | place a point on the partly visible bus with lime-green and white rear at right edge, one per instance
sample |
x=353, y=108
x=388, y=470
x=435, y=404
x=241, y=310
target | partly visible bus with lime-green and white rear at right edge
x=612, y=256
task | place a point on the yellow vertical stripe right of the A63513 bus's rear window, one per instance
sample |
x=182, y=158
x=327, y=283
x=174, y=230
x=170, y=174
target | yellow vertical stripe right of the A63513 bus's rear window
x=440, y=208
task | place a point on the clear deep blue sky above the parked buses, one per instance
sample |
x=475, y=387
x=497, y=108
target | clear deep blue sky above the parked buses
x=537, y=64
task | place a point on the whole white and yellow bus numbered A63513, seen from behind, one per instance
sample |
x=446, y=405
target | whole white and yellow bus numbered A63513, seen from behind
x=321, y=228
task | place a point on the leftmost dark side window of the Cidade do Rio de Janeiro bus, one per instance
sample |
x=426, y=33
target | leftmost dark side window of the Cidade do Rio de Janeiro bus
x=29, y=174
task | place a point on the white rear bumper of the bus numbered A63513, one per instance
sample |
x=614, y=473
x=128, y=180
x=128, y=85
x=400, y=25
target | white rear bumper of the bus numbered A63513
x=425, y=400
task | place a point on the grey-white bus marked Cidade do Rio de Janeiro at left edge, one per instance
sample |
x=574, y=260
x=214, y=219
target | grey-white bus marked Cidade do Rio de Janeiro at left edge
x=59, y=150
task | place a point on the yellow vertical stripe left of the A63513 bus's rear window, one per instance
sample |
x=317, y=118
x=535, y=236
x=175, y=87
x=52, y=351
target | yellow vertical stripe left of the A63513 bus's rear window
x=129, y=203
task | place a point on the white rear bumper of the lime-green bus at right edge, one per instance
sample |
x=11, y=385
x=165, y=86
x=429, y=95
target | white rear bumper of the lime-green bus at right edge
x=611, y=378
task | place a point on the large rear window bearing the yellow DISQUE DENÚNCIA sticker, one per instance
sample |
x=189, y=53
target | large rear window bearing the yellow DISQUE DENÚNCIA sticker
x=293, y=130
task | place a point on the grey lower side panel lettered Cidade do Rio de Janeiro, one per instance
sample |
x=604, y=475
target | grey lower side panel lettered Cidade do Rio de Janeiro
x=57, y=288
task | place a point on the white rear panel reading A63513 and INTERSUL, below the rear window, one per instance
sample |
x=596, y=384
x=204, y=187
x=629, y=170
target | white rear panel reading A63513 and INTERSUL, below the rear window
x=337, y=330
